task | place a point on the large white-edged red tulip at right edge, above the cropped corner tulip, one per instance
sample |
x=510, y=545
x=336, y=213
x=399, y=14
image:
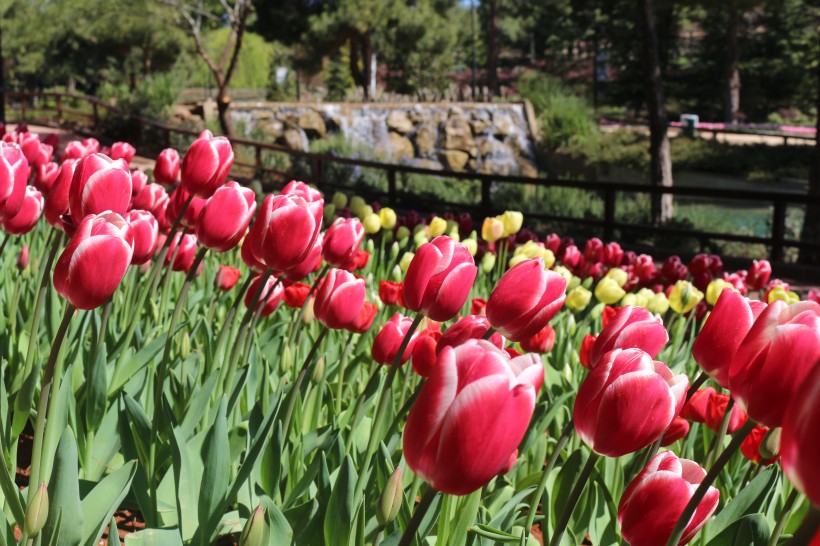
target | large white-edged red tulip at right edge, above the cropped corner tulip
x=762, y=382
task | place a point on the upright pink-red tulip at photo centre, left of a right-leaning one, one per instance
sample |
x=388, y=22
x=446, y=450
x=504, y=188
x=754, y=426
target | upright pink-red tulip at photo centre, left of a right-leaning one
x=439, y=279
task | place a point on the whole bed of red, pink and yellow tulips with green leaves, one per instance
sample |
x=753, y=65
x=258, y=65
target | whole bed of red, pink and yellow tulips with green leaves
x=542, y=380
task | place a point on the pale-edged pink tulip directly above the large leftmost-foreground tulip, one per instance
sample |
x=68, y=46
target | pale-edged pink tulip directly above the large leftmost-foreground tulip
x=99, y=184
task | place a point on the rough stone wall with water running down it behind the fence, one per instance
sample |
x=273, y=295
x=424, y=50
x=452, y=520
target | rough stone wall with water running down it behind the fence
x=489, y=138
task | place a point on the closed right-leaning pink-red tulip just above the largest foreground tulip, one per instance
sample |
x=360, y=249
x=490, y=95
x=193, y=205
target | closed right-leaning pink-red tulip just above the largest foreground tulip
x=525, y=299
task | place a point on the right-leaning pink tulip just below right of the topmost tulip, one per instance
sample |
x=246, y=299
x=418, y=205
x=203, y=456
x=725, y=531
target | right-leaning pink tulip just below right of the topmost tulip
x=225, y=217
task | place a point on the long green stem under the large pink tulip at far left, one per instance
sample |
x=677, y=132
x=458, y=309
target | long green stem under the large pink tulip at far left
x=51, y=382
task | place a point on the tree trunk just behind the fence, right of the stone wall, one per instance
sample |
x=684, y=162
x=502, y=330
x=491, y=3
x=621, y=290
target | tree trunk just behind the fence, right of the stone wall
x=661, y=159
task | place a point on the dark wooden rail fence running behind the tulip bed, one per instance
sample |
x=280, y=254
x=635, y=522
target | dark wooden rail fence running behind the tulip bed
x=485, y=205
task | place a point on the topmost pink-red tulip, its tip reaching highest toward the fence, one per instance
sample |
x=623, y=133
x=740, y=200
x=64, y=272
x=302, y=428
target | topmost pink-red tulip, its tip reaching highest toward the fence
x=206, y=164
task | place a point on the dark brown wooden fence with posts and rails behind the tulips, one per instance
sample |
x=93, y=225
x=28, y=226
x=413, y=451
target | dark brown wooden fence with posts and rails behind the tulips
x=607, y=190
